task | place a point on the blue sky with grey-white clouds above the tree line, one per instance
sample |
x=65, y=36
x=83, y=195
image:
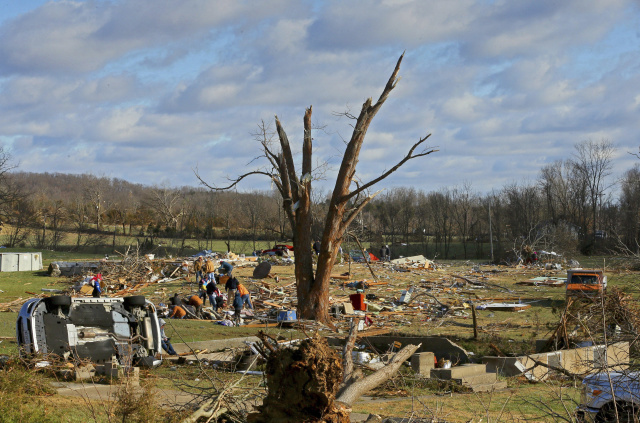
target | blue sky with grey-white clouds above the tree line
x=148, y=90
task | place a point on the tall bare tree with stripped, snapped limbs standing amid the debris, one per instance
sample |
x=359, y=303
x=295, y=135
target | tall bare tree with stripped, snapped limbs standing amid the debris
x=345, y=203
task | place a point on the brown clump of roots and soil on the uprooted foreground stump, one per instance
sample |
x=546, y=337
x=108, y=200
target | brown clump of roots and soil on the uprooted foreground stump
x=302, y=385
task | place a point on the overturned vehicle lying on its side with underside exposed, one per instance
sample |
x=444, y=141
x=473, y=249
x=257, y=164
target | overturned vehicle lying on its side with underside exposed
x=123, y=330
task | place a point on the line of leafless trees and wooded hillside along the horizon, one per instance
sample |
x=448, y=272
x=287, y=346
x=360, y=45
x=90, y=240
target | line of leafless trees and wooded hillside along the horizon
x=573, y=206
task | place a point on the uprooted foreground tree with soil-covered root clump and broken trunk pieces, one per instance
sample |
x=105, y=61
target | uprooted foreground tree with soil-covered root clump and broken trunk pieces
x=303, y=382
